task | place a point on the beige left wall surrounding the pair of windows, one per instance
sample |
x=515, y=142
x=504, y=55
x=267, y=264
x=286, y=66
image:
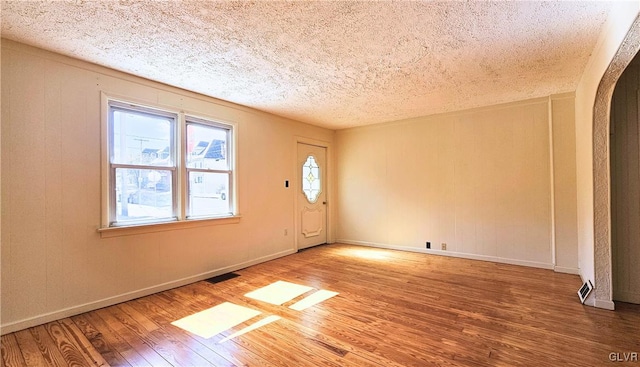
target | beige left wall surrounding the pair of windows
x=54, y=262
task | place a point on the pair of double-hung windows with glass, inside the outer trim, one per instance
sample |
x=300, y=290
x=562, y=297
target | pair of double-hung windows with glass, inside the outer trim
x=165, y=166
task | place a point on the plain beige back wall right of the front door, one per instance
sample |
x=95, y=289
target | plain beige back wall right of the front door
x=478, y=180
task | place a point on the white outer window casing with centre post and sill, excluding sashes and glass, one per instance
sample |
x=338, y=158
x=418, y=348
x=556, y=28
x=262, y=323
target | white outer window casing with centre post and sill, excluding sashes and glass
x=106, y=230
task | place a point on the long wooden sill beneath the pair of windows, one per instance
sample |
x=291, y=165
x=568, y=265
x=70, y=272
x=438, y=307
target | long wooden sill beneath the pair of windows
x=169, y=226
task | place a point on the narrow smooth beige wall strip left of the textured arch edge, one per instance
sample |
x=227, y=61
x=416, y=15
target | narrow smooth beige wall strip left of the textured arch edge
x=614, y=31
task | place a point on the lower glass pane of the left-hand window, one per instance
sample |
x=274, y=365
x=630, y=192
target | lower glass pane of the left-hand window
x=143, y=194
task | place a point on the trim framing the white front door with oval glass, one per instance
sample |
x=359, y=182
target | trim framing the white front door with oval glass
x=329, y=185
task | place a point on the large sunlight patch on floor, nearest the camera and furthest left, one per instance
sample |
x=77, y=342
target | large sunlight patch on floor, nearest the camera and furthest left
x=215, y=320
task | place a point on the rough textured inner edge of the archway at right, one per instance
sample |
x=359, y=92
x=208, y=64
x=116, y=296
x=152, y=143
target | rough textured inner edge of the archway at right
x=601, y=174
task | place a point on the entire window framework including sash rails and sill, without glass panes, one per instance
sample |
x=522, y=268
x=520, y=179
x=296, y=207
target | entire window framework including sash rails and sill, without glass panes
x=109, y=227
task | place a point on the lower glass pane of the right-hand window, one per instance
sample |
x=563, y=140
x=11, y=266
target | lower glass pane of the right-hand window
x=208, y=194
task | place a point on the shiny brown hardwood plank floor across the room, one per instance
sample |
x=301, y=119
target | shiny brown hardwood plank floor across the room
x=393, y=309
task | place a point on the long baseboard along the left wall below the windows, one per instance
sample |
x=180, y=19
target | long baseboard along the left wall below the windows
x=76, y=310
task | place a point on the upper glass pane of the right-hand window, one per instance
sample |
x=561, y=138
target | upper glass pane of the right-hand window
x=207, y=147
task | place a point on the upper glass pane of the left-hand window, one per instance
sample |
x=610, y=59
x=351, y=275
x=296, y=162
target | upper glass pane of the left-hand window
x=141, y=138
